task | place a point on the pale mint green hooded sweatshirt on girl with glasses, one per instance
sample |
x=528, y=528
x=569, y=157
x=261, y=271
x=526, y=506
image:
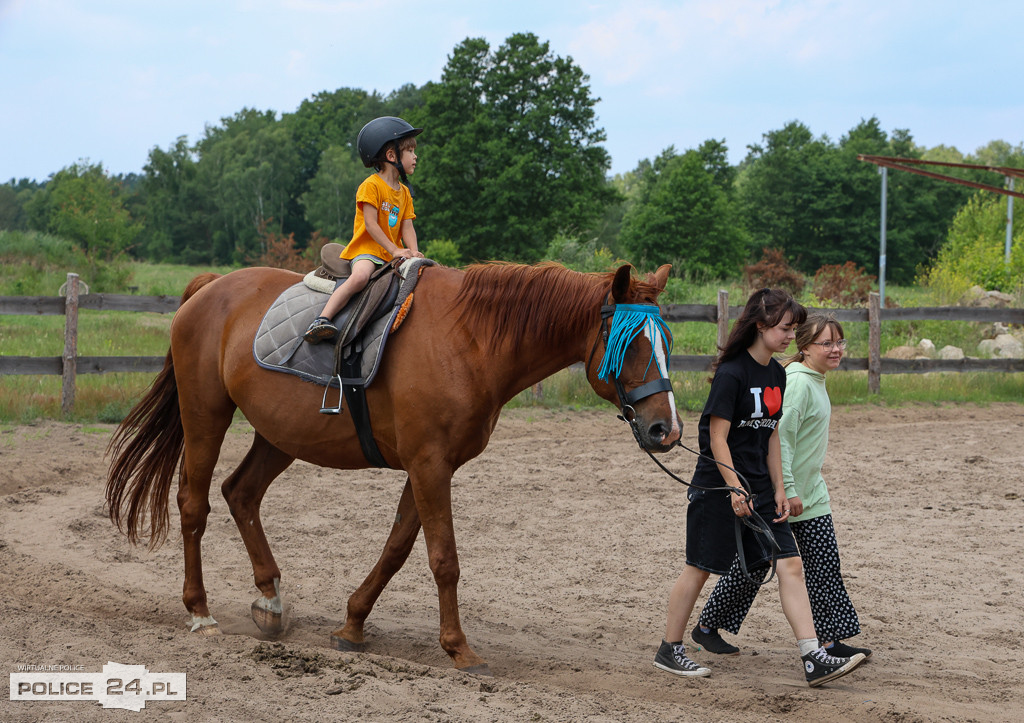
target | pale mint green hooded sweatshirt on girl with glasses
x=804, y=436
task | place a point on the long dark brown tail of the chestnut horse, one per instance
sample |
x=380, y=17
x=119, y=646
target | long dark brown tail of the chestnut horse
x=148, y=449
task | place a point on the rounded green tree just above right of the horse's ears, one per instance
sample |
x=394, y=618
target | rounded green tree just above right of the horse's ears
x=685, y=217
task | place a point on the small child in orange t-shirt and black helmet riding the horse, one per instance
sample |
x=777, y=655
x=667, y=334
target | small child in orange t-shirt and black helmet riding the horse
x=383, y=228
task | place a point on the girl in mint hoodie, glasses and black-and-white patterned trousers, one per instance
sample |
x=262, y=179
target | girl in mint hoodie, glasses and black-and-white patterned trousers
x=804, y=438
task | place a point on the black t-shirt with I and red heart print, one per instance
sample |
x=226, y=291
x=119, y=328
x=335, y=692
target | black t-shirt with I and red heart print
x=750, y=396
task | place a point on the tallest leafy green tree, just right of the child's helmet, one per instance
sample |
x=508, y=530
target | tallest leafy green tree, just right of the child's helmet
x=511, y=154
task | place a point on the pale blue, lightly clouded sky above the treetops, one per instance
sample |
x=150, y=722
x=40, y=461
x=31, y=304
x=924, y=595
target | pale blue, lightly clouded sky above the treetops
x=106, y=81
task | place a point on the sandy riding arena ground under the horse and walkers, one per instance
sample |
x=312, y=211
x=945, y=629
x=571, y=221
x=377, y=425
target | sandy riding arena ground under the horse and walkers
x=570, y=540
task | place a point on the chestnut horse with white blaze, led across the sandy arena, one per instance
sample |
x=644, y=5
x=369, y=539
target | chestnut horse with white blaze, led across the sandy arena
x=473, y=341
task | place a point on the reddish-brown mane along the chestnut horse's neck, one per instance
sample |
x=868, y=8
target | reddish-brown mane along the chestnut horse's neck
x=545, y=304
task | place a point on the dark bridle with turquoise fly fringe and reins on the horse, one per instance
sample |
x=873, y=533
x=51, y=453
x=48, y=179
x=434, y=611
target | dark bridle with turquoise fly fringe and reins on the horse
x=620, y=333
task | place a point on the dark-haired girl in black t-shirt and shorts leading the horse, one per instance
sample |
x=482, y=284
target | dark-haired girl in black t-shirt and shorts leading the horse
x=738, y=429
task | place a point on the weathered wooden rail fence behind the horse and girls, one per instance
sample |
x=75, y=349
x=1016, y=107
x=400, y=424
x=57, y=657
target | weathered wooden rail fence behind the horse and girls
x=70, y=364
